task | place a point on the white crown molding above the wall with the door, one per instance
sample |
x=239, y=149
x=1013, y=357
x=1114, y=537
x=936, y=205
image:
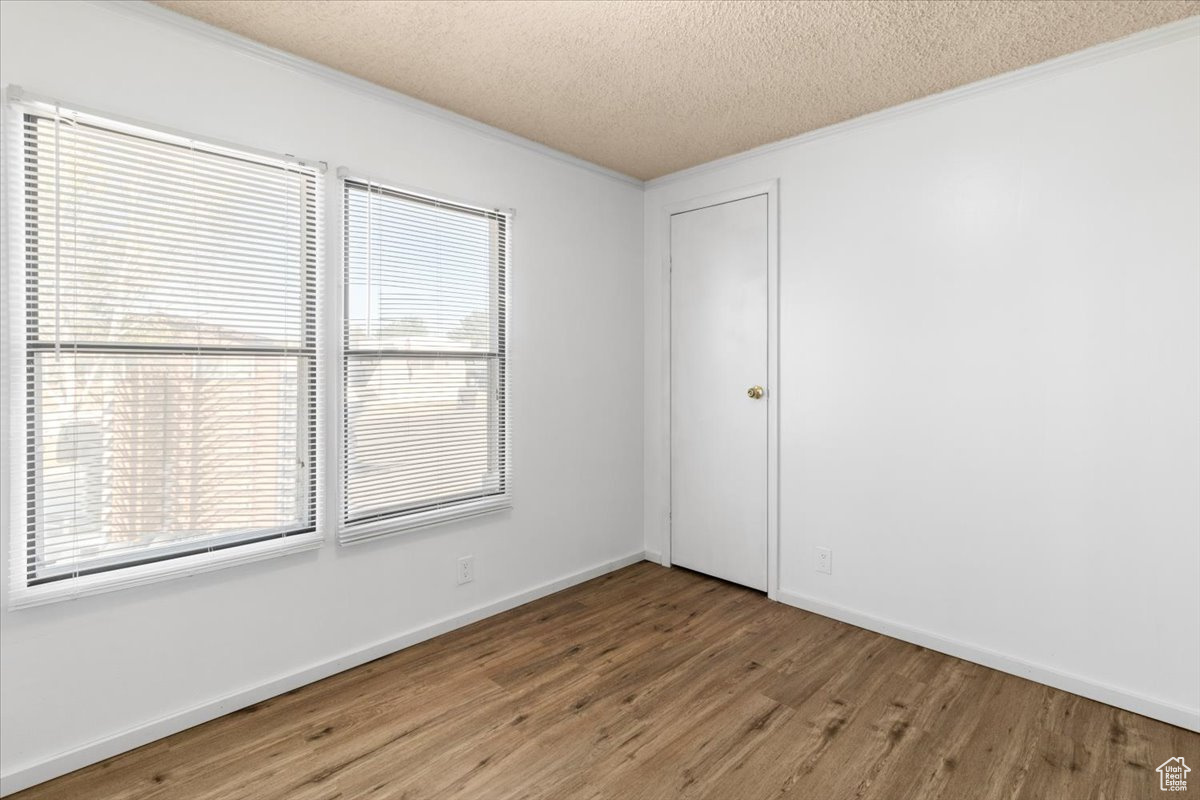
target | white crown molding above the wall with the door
x=1138, y=43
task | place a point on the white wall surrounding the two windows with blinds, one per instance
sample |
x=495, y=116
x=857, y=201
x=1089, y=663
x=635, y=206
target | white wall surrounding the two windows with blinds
x=93, y=669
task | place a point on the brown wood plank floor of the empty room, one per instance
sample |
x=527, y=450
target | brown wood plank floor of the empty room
x=653, y=683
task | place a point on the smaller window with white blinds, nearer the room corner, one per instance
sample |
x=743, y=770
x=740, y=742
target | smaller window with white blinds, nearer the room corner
x=424, y=434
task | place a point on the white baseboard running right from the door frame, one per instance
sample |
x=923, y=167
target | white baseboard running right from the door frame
x=1178, y=715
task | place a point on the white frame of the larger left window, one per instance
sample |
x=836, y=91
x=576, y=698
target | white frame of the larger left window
x=29, y=586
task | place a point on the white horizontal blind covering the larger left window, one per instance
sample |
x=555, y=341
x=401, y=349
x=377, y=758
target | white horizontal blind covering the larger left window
x=170, y=306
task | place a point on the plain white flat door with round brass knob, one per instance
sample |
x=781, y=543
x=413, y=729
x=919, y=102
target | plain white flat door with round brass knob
x=718, y=360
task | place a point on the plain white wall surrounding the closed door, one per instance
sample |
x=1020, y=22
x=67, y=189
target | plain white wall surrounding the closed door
x=991, y=380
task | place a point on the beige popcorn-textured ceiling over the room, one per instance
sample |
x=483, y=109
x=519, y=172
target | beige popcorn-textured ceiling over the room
x=650, y=87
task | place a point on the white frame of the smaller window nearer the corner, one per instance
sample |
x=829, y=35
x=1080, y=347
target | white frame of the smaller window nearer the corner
x=416, y=519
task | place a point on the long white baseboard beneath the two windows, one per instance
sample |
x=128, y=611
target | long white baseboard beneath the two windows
x=143, y=735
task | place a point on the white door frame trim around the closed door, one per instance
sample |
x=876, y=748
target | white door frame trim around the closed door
x=771, y=189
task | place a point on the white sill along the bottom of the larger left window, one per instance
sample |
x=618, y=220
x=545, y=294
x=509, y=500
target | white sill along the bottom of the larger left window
x=170, y=570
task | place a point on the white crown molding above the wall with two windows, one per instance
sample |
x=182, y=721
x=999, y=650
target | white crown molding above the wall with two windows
x=148, y=11
